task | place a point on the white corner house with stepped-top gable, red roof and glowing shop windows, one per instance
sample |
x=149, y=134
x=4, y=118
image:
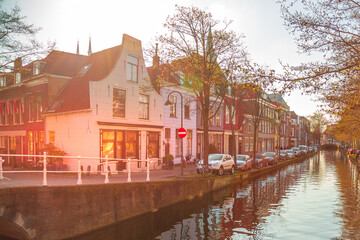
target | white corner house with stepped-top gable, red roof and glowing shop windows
x=110, y=108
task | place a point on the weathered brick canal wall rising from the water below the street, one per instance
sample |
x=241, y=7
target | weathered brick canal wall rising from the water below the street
x=65, y=211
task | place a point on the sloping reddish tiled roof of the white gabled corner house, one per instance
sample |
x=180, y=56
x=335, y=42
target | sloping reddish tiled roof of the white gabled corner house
x=76, y=95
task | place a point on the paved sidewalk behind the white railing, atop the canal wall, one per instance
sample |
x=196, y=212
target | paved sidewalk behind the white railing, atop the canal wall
x=62, y=179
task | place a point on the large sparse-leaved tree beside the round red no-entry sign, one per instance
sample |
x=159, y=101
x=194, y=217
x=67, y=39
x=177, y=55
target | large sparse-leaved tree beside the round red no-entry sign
x=198, y=49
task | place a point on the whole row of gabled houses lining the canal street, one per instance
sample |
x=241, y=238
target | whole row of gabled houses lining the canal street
x=106, y=104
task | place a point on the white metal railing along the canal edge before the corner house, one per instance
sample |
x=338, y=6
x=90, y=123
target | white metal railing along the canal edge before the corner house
x=103, y=161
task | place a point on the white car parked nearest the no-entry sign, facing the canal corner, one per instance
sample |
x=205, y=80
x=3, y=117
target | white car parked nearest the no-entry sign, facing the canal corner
x=218, y=163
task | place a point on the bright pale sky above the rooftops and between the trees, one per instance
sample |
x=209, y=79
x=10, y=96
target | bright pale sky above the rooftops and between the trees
x=69, y=21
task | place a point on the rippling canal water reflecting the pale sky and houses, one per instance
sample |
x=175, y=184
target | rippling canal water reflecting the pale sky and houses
x=317, y=198
